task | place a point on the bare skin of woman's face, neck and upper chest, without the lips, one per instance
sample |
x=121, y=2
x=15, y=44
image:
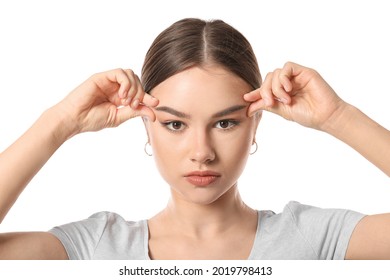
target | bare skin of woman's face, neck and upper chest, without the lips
x=211, y=221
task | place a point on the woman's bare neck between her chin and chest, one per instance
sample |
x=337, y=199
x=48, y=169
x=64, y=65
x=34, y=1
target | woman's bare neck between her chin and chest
x=207, y=220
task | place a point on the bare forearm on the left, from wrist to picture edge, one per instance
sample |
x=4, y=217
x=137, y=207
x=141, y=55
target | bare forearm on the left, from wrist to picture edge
x=24, y=158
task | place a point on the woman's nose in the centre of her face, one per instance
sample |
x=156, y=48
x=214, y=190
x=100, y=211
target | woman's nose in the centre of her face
x=202, y=150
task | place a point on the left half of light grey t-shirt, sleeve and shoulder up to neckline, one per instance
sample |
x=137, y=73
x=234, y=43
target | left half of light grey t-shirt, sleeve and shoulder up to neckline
x=104, y=235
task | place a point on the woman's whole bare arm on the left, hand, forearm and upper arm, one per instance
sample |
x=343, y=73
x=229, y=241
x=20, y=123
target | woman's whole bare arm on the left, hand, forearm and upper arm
x=104, y=100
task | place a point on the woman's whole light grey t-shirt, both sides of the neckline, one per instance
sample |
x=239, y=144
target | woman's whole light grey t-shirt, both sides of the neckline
x=299, y=232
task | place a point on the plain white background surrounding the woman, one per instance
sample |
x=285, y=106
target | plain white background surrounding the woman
x=49, y=47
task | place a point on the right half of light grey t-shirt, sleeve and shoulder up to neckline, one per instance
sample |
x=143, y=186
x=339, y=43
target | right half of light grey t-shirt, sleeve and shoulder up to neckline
x=306, y=232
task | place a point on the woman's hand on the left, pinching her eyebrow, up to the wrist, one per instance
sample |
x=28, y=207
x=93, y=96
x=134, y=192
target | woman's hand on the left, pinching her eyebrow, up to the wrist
x=106, y=99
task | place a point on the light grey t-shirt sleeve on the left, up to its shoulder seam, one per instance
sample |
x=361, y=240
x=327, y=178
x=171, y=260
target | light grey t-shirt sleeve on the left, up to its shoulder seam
x=81, y=238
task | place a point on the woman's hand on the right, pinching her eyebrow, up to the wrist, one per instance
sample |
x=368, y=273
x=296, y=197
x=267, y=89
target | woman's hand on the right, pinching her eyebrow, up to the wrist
x=299, y=94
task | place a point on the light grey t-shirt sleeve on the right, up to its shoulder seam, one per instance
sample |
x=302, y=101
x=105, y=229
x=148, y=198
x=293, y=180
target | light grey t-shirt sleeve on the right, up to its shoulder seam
x=327, y=231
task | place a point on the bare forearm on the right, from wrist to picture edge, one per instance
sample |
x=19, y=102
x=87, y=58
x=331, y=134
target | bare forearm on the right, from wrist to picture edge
x=364, y=135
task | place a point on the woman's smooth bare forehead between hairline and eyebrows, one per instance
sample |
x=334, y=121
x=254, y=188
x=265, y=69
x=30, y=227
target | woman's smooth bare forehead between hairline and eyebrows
x=203, y=87
